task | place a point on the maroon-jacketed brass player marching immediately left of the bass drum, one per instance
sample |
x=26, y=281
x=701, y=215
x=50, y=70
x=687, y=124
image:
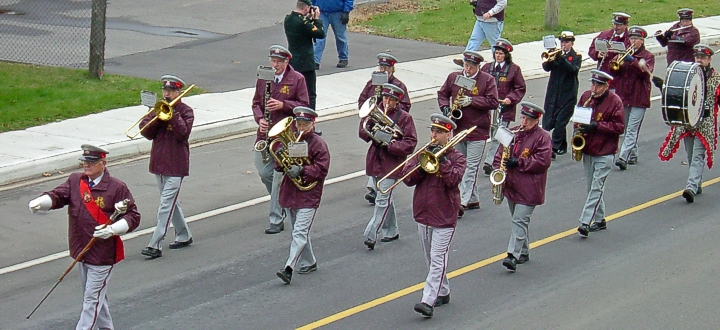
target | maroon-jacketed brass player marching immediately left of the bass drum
x=634, y=82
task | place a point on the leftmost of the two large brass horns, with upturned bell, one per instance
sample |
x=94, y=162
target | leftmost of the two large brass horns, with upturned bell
x=282, y=133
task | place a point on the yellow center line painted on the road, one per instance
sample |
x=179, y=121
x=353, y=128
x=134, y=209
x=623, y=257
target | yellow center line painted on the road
x=482, y=263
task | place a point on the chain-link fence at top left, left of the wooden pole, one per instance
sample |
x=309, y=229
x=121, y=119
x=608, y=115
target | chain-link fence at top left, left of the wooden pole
x=47, y=32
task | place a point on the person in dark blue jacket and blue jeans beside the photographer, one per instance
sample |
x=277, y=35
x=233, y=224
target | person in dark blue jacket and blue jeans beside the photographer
x=335, y=13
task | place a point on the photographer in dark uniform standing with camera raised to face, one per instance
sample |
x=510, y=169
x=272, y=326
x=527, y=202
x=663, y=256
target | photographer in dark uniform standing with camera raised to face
x=302, y=26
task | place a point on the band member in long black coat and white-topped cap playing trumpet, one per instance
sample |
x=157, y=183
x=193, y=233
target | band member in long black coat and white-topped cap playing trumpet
x=561, y=93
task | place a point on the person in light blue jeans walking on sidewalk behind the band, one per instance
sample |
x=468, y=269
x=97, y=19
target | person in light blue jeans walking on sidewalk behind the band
x=490, y=20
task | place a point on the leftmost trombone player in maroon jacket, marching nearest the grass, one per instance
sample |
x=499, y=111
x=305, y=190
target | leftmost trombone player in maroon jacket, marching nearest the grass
x=170, y=162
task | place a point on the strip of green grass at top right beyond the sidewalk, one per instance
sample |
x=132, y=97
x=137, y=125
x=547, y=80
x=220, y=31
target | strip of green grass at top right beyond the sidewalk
x=450, y=21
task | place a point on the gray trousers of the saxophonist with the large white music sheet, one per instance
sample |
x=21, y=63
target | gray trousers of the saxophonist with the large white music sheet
x=597, y=169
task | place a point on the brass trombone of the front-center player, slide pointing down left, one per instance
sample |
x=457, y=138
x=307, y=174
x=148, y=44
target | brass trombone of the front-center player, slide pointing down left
x=429, y=161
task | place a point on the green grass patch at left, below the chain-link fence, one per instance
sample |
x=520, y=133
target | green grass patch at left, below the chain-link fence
x=34, y=95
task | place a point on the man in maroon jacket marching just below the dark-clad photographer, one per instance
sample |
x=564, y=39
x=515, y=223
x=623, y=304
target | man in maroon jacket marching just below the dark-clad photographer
x=286, y=92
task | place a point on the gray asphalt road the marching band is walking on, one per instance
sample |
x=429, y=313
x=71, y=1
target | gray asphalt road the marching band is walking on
x=654, y=267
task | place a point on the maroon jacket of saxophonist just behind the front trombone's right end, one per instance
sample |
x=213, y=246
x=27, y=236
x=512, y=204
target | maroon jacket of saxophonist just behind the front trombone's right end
x=484, y=99
